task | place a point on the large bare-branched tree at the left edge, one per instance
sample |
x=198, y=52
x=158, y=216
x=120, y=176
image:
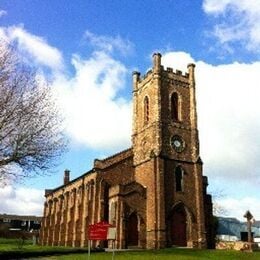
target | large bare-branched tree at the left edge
x=31, y=138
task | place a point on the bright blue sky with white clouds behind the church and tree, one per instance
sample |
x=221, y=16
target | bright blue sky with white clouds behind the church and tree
x=89, y=50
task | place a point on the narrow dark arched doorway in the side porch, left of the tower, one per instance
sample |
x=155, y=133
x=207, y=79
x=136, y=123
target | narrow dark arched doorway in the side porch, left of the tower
x=132, y=230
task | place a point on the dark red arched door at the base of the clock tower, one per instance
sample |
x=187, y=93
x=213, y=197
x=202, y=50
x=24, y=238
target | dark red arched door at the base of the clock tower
x=179, y=226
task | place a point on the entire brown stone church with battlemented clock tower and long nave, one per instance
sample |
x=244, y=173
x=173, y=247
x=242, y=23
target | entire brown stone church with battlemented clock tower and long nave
x=154, y=192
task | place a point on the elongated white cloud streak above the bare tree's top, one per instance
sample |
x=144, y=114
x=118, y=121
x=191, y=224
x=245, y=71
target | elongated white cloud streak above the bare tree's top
x=35, y=48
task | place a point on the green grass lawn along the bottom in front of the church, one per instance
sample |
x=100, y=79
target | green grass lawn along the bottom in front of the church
x=10, y=249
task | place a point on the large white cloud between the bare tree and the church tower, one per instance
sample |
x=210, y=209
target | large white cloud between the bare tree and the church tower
x=97, y=115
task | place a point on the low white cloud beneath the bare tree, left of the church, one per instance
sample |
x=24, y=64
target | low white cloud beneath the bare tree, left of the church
x=22, y=201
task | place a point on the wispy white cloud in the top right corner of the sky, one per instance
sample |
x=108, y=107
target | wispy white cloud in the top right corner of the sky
x=236, y=21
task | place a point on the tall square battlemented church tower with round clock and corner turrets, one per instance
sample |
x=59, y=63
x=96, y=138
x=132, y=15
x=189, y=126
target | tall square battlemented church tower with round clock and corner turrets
x=166, y=156
